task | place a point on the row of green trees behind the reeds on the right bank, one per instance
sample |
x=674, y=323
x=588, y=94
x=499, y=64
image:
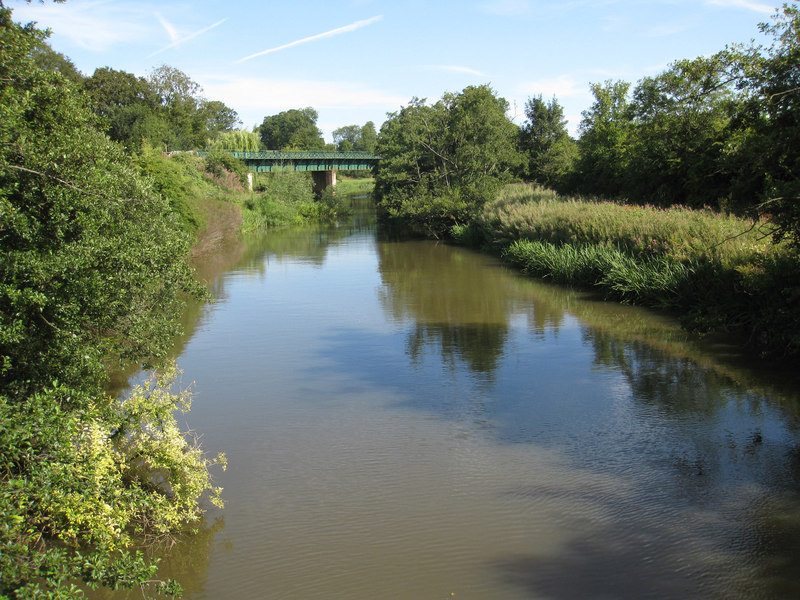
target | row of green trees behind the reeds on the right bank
x=720, y=132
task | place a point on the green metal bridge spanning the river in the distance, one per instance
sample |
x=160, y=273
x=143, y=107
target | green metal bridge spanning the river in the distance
x=323, y=165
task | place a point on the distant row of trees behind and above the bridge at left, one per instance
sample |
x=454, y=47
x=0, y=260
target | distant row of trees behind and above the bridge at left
x=168, y=110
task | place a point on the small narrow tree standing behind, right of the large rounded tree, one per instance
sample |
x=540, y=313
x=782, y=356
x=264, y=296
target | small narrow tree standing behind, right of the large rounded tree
x=551, y=152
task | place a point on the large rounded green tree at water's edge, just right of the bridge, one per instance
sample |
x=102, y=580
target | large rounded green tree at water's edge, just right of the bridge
x=441, y=162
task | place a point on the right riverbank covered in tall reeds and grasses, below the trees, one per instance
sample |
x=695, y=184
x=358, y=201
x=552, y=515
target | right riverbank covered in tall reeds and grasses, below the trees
x=717, y=273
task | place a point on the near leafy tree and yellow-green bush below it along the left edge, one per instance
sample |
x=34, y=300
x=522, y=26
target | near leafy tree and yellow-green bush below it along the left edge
x=92, y=267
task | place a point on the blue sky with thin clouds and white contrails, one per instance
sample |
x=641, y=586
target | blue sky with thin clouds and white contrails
x=356, y=60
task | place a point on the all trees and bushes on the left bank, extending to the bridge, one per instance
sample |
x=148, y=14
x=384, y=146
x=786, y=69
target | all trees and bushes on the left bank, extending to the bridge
x=97, y=228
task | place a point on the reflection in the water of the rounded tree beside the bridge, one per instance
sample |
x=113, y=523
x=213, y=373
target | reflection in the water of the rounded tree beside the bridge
x=456, y=306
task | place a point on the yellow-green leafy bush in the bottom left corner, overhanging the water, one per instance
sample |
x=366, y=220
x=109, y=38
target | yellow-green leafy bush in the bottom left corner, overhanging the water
x=81, y=472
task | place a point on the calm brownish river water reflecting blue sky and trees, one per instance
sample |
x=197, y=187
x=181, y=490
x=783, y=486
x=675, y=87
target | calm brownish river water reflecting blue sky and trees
x=410, y=420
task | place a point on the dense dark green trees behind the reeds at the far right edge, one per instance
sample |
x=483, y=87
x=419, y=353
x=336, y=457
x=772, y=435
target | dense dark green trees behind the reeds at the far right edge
x=720, y=131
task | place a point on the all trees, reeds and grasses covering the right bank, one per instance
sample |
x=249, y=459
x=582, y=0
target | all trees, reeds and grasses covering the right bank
x=699, y=167
